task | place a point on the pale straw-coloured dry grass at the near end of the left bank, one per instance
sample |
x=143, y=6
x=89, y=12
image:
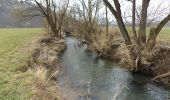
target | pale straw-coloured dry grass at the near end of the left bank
x=43, y=87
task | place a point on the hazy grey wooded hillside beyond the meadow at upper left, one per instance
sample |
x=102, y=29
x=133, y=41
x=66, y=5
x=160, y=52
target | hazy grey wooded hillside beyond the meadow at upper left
x=8, y=19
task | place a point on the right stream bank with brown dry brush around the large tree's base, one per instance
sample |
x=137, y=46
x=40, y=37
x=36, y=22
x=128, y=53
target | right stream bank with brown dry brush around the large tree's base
x=157, y=61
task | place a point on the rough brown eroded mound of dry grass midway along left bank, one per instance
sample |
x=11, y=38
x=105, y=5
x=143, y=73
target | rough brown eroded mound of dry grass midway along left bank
x=46, y=53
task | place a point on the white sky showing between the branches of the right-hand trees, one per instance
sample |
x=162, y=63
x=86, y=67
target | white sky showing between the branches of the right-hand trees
x=163, y=10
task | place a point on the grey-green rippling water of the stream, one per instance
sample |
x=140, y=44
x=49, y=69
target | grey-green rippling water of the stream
x=86, y=77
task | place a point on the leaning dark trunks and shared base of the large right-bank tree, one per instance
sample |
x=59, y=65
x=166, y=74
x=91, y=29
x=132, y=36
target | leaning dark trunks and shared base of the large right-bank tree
x=138, y=53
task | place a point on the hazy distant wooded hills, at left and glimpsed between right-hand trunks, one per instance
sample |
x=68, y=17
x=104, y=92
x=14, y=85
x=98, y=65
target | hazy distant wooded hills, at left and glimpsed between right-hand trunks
x=8, y=19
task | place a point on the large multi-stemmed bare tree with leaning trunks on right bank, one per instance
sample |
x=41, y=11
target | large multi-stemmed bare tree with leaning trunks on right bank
x=139, y=37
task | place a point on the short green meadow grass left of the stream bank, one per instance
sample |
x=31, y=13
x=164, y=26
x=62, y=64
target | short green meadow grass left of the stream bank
x=14, y=83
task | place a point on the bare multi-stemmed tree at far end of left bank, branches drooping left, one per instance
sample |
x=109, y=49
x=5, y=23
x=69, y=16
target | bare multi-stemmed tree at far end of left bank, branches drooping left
x=53, y=11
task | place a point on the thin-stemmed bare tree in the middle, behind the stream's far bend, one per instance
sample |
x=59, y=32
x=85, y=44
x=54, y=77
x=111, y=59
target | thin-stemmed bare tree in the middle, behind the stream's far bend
x=87, y=12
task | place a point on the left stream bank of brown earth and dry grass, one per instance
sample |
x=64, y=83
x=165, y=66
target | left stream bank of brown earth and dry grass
x=46, y=67
